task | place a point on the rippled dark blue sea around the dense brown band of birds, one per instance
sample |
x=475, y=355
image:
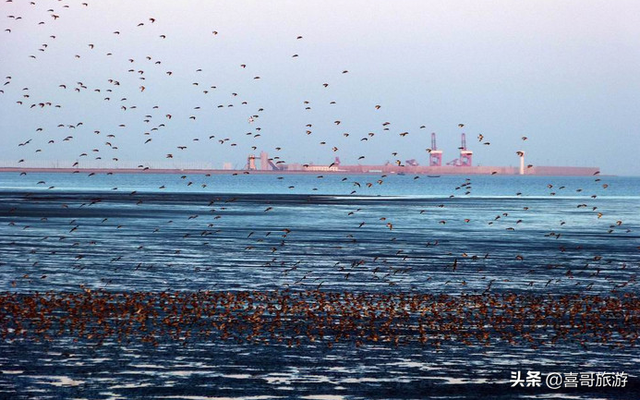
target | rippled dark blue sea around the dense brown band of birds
x=372, y=234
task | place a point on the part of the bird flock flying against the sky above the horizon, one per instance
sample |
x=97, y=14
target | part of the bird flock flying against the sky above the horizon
x=145, y=74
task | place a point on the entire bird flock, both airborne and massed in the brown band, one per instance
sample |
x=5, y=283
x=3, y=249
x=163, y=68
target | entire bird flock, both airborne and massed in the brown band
x=174, y=312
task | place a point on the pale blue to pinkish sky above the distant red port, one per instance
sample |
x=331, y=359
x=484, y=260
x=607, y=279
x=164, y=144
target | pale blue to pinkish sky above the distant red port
x=562, y=73
